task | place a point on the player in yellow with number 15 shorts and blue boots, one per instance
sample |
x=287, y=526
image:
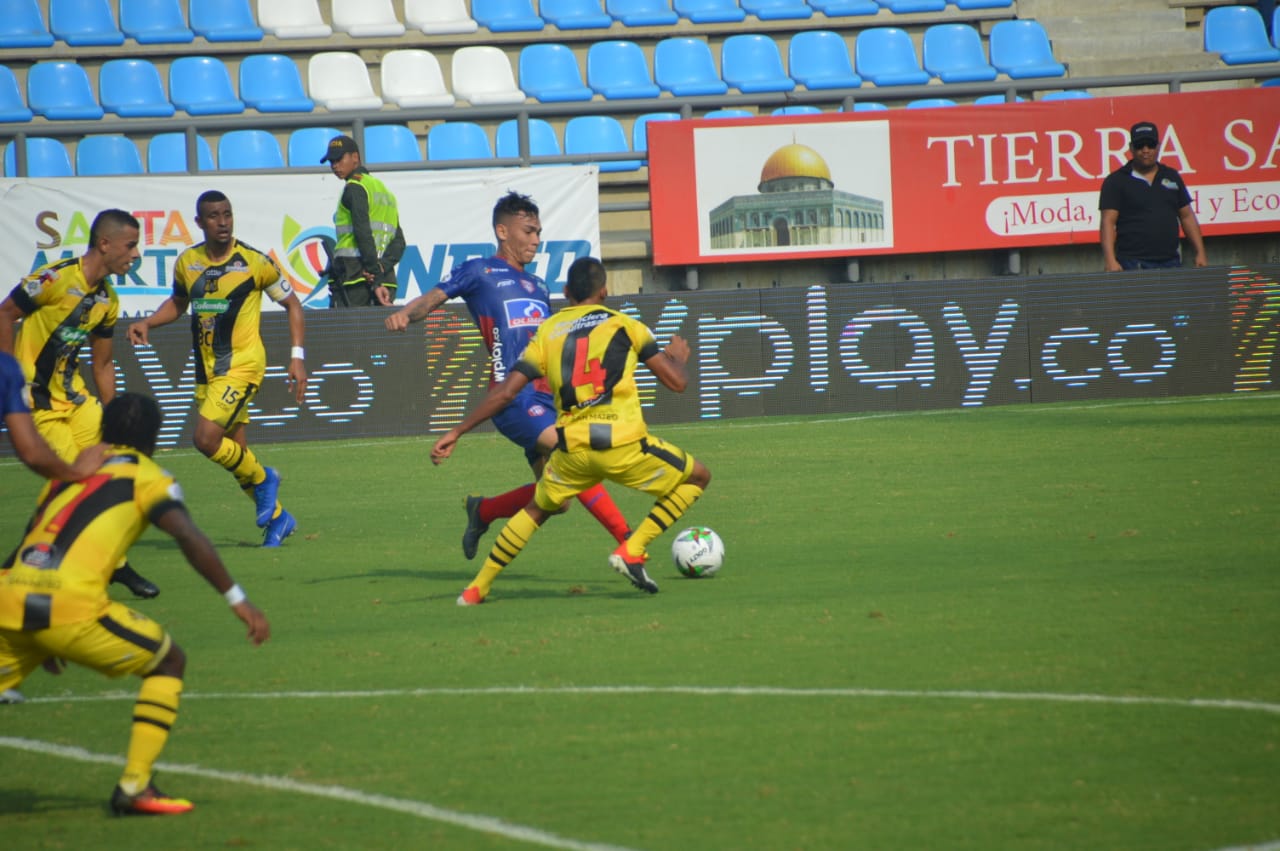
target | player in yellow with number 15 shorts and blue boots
x=222, y=281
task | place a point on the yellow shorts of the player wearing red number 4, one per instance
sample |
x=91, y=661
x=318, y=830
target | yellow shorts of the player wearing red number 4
x=650, y=465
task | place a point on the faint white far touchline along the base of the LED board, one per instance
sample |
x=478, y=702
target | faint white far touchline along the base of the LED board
x=779, y=423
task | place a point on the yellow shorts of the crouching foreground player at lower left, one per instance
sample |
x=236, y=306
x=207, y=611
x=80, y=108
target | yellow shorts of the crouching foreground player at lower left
x=120, y=643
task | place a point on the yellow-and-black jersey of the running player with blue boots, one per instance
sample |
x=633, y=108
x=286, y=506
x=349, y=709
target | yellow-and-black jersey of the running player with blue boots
x=227, y=309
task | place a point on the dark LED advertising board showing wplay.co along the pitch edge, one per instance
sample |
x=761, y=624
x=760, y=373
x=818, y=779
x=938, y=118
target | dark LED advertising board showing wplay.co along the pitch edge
x=797, y=350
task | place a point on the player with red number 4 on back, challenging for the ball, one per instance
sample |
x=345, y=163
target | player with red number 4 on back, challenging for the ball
x=588, y=354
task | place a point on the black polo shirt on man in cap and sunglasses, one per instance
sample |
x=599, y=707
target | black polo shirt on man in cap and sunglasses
x=1148, y=228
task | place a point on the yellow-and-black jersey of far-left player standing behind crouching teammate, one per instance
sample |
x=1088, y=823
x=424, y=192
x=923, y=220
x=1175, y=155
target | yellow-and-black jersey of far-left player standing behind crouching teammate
x=62, y=312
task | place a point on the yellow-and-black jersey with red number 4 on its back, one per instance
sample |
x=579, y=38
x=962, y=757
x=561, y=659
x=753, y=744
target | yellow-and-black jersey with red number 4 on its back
x=589, y=355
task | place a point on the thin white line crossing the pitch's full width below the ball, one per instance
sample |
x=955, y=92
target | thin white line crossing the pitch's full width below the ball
x=757, y=692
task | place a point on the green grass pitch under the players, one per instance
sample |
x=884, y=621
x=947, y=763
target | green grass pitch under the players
x=1025, y=628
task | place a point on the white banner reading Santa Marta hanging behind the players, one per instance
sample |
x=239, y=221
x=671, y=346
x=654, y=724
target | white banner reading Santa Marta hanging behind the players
x=447, y=218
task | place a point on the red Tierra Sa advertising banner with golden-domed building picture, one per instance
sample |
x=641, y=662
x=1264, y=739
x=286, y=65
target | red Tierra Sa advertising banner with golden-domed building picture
x=913, y=181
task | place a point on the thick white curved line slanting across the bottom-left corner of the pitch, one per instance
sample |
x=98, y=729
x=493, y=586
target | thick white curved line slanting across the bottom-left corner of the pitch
x=482, y=823
